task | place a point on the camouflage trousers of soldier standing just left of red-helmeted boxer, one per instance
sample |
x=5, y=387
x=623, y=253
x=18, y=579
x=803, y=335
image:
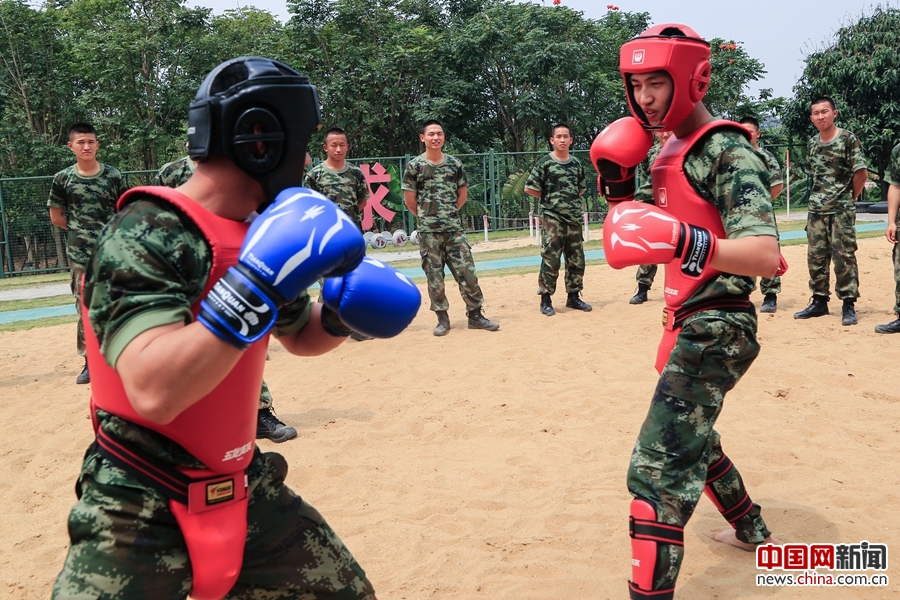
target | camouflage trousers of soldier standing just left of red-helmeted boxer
x=560, y=239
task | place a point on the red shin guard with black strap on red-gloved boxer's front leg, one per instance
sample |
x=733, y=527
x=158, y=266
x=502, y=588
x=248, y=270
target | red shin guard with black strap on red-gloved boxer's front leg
x=647, y=533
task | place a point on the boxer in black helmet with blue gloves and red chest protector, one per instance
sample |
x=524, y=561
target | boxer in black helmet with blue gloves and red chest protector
x=180, y=297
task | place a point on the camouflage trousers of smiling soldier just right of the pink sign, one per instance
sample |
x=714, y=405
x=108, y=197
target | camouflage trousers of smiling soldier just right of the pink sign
x=450, y=249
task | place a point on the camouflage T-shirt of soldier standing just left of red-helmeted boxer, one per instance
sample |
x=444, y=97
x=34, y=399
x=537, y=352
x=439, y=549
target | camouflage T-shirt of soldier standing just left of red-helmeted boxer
x=561, y=185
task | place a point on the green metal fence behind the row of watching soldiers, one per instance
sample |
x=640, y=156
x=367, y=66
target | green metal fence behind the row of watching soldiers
x=30, y=244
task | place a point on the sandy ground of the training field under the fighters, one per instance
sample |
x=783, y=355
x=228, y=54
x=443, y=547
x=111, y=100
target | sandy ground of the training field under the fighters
x=492, y=465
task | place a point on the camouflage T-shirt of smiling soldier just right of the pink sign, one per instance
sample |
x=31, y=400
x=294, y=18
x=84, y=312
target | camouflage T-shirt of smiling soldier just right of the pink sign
x=435, y=187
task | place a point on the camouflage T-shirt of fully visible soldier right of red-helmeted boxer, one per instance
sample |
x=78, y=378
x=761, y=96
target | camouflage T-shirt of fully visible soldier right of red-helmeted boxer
x=831, y=167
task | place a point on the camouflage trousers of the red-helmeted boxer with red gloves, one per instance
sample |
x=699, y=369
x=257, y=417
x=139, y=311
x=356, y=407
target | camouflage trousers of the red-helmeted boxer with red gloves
x=677, y=442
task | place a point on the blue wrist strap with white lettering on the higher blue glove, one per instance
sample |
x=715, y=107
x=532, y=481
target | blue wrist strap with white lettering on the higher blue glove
x=238, y=309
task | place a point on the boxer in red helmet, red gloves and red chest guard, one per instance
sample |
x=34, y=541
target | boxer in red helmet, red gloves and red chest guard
x=714, y=229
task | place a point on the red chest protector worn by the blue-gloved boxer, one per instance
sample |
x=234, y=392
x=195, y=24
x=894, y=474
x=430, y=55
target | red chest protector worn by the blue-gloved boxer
x=220, y=429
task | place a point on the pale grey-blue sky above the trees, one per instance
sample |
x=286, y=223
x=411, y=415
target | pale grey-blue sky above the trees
x=777, y=32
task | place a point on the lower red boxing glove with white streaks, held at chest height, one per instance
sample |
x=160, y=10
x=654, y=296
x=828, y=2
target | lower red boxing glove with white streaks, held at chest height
x=635, y=233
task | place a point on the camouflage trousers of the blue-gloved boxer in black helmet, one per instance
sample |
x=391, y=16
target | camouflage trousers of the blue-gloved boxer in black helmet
x=125, y=543
